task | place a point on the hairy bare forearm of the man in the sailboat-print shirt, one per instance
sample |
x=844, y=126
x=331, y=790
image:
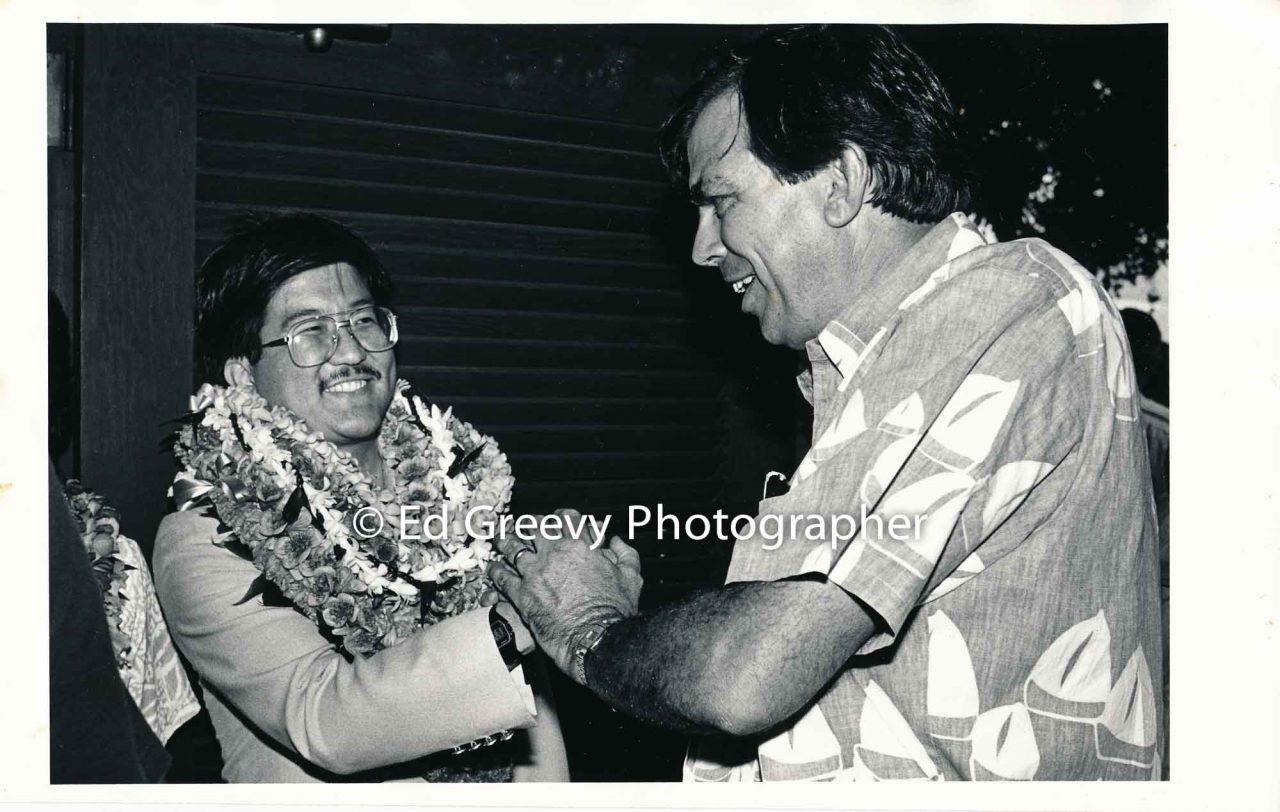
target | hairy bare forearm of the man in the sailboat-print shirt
x=739, y=659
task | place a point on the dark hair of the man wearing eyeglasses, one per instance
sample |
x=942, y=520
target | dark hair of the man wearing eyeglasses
x=263, y=253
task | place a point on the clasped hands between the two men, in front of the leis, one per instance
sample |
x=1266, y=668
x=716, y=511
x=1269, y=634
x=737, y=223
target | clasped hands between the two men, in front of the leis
x=563, y=587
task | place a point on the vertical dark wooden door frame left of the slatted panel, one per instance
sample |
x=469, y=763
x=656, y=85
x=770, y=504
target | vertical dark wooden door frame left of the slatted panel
x=138, y=136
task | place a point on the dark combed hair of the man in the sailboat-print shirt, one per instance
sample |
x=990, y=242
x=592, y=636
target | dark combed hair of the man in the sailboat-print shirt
x=811, y=93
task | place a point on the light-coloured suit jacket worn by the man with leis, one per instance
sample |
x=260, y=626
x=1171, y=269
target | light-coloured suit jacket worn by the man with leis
x=287, y=708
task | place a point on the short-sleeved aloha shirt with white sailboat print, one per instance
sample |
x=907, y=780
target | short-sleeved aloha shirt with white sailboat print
x=979, y=478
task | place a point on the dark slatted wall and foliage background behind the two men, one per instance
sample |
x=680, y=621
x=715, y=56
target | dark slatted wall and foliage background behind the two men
x=509, y=176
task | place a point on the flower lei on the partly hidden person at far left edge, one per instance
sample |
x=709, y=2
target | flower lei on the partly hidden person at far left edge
x=100, y=531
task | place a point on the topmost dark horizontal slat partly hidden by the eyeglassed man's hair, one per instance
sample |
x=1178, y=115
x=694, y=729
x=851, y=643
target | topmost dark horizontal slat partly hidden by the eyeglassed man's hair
x=437, y=234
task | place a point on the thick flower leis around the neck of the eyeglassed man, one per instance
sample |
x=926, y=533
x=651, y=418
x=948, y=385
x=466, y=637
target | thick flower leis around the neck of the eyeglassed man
x=289, y=501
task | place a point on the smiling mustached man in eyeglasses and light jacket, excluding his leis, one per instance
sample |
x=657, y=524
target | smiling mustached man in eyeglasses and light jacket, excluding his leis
x=295, y=307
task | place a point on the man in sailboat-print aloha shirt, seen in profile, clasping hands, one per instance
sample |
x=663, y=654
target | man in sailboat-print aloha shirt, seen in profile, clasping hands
x=985, y=394
